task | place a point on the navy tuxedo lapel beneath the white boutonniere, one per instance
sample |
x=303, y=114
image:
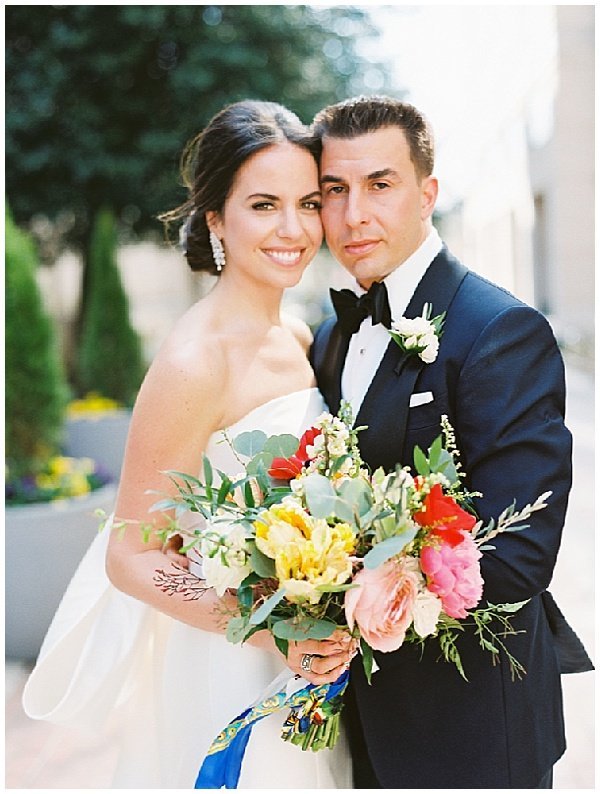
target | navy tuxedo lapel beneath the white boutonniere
x=385, y=407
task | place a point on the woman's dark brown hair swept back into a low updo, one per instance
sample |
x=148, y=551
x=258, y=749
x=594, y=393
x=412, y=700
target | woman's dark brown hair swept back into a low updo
x=211, y=160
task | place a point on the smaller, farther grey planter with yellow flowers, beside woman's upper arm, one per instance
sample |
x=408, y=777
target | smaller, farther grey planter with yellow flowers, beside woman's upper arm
x=101, y=437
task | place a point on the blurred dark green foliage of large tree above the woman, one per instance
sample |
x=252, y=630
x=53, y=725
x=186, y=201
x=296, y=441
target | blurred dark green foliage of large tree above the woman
x=101, y=99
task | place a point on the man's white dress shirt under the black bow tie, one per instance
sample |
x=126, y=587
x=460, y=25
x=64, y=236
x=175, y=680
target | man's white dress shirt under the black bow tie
x=369, y=343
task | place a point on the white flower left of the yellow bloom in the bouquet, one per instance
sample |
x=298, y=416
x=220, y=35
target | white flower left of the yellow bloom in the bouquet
x=225, y=558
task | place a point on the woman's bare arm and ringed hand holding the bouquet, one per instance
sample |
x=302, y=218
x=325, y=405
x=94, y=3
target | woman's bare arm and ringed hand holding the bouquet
x=177, y=410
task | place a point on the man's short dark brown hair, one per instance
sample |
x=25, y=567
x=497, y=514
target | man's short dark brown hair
x=363, y=114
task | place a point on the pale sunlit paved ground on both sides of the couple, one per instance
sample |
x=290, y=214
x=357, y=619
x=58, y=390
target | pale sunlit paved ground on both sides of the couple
x=49, y=757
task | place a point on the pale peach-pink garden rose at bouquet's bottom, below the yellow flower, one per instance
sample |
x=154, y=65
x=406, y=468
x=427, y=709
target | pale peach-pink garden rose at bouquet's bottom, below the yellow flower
x=383, y=604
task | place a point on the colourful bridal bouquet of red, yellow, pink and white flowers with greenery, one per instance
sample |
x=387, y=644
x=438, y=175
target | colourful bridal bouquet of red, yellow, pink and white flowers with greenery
x=311, y=542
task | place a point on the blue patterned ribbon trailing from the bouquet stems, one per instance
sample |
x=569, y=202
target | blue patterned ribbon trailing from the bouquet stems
x=223, y=763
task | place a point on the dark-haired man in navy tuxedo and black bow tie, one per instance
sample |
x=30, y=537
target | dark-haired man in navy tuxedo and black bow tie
x=499, y=378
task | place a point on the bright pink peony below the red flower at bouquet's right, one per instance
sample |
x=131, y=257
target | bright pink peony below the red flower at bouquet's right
x=453, y=574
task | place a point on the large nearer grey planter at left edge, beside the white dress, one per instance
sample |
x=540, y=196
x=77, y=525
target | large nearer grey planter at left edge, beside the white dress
x=44, y=545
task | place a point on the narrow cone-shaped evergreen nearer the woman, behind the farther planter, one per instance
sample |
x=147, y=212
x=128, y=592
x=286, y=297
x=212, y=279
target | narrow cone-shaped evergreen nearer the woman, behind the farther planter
x=110, y=354
